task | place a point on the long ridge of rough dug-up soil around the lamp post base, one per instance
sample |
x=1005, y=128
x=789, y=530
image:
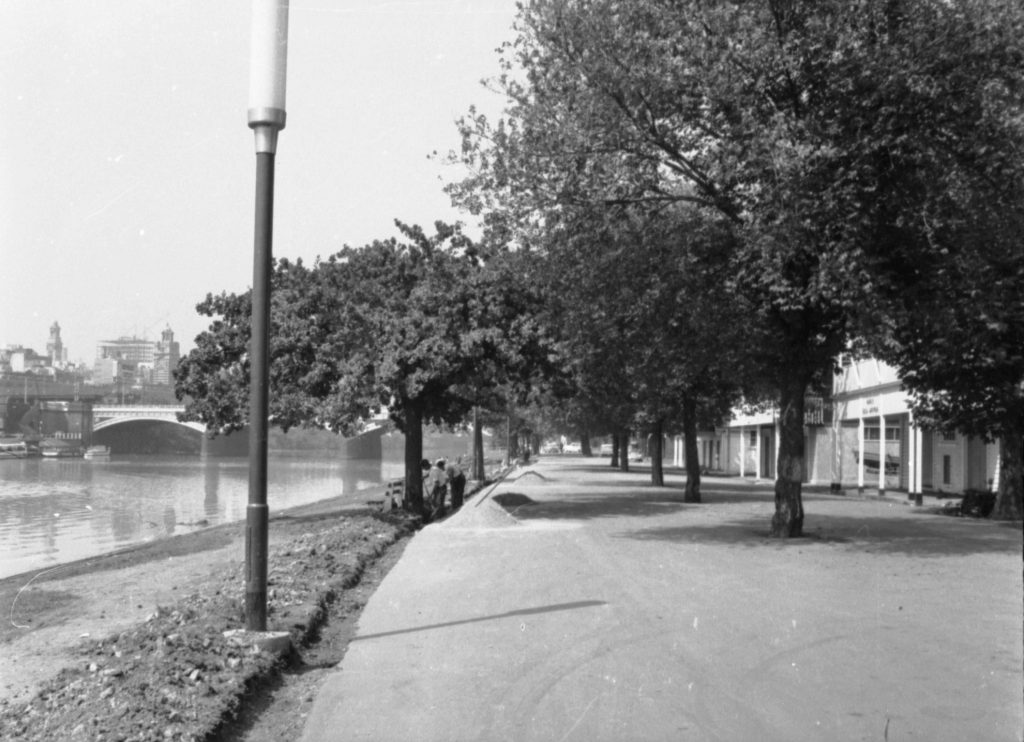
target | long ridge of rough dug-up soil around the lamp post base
x=177, y=676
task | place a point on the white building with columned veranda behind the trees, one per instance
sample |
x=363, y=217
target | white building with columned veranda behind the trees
x=867, y=441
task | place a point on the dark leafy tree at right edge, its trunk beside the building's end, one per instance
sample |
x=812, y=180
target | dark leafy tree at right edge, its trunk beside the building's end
x=957, y=337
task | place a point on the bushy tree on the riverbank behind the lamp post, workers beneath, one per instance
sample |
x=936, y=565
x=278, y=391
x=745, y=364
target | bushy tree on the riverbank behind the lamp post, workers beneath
x=418, y=327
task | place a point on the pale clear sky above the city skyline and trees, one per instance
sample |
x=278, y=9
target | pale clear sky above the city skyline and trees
x=127, y=168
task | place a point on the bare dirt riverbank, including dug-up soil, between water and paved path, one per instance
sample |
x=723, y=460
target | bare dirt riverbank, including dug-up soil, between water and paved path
x=132, y=646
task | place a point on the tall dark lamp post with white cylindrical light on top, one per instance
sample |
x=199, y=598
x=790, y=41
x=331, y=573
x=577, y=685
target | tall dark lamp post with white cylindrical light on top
x=267, y=117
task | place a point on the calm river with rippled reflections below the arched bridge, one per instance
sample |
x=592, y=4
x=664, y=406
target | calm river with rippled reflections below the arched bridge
x=56, y=511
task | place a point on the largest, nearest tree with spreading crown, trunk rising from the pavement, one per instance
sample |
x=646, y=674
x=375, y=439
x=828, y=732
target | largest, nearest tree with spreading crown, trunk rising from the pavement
x=788, y=119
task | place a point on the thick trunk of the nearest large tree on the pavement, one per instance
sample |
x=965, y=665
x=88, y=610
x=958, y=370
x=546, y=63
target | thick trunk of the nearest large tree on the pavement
x=789, y=519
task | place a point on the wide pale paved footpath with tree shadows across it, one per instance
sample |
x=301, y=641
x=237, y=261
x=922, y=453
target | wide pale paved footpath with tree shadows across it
x=575, y=602
